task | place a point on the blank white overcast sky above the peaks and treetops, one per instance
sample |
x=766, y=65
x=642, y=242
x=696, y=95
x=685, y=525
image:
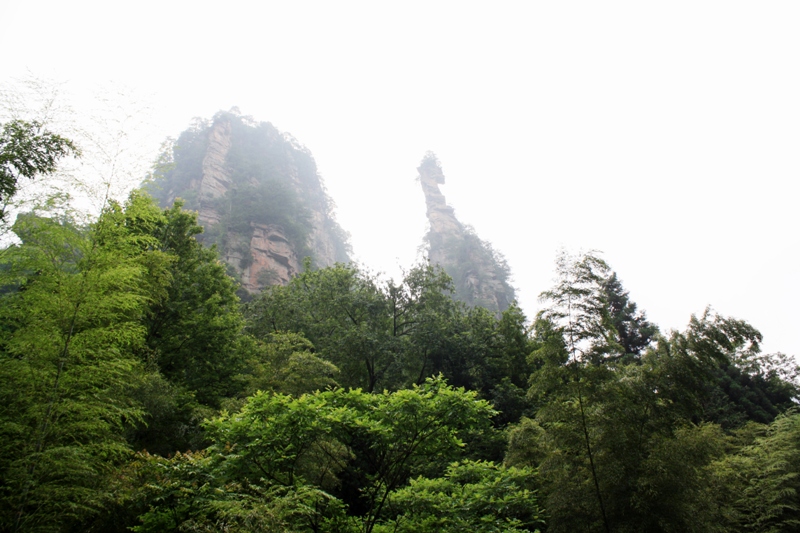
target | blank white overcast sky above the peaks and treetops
x=664, y=134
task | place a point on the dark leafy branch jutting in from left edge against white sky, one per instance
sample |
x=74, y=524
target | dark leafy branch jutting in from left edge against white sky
x=27, y=150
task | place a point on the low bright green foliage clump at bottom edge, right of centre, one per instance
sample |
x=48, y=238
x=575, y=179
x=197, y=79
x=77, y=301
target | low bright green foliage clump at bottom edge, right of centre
x=471, y=496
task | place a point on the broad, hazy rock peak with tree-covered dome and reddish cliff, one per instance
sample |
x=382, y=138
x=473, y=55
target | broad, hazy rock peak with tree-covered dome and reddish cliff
x=258, y=196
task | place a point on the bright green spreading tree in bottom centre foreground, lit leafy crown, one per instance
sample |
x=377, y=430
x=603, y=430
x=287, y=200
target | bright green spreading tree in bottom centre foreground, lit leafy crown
x=273, y=459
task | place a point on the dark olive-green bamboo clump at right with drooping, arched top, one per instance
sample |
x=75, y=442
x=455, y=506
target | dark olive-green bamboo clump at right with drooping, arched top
x=624, y=445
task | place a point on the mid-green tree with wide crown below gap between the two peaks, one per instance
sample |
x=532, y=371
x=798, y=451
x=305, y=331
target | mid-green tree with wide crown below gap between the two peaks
x=378, y=335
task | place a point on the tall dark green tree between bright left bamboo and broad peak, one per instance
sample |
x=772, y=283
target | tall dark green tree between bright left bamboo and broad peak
x=194, y=345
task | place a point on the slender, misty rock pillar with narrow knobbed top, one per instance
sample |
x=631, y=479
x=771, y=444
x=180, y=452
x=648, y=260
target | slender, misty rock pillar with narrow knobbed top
x=480, y=274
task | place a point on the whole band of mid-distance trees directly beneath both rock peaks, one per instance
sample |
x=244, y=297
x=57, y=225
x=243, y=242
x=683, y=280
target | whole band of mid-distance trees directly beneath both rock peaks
x=390, y=335
